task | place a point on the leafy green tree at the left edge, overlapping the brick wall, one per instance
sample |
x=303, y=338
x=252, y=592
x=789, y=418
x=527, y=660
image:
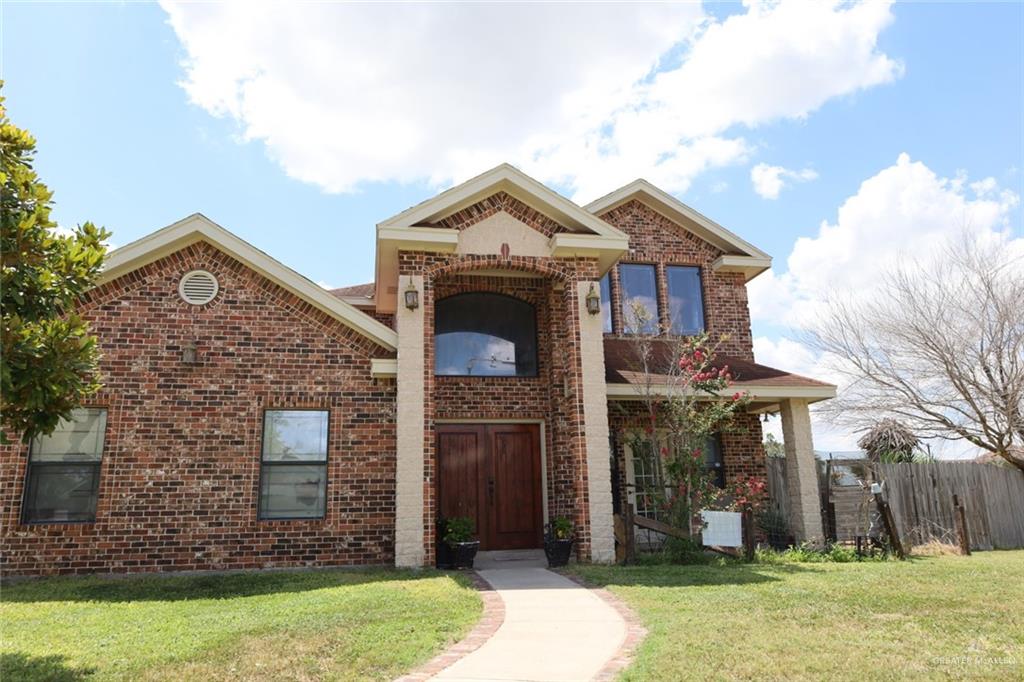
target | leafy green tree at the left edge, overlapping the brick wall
x=50, y=359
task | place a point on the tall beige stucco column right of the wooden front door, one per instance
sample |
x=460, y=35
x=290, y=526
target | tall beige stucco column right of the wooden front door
x=595, y=410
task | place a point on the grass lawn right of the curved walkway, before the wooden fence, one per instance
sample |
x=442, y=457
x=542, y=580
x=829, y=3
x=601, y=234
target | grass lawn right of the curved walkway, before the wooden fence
x=937, y=618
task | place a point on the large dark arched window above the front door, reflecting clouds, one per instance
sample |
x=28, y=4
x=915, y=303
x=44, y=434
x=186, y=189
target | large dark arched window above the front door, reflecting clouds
x=485, y=335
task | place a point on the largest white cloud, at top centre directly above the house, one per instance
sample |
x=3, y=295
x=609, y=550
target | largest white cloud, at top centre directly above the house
x=589, y=96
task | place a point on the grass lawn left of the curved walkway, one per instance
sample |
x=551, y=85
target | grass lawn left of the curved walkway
x=337, y=625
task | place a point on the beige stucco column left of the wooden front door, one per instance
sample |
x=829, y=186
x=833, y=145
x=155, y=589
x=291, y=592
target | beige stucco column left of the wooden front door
x=409, y=536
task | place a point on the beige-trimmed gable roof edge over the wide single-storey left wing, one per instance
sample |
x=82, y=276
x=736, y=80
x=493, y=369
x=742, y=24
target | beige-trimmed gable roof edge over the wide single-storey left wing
x=198, y=228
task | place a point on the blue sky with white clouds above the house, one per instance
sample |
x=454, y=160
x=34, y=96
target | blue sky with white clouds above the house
x=343, y=123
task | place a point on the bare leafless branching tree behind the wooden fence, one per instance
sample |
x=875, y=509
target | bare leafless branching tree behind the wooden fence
x=940, y=347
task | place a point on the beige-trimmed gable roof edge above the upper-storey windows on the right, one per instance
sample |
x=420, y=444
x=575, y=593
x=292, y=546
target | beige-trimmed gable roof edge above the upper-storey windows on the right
x=740, y=255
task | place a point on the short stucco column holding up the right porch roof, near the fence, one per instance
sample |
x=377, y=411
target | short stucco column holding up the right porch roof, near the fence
x=801, y=474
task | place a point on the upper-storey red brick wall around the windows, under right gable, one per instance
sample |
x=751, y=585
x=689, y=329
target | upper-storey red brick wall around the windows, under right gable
x=656, y=240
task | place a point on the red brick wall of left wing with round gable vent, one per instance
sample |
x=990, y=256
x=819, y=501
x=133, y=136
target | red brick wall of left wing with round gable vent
x=181, y=466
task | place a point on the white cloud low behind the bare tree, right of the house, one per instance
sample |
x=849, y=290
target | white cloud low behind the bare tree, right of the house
x=906, y=210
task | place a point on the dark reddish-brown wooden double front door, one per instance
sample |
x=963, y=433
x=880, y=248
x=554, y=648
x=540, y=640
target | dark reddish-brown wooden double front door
x=492, y=475
